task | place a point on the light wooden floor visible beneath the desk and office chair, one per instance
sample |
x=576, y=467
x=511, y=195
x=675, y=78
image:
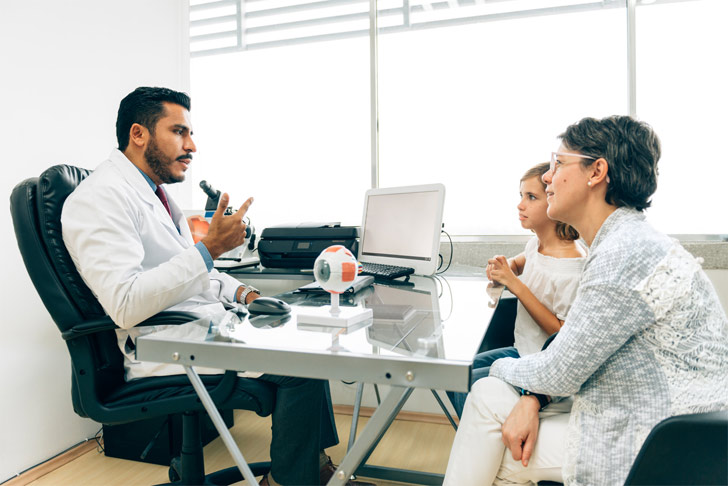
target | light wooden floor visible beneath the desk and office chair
x=409, y=445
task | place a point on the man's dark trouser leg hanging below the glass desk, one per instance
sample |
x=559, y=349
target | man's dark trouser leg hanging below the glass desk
x=303, y=425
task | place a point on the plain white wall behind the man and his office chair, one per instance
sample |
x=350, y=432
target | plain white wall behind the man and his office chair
x=65, y=65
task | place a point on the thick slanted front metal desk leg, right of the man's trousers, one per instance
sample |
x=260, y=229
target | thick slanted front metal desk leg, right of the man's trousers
x=371, y=435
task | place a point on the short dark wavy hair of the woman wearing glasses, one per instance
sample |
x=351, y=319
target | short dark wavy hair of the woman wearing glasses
x=631, y=149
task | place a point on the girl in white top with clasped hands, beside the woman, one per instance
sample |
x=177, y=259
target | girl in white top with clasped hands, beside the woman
x=549, y=270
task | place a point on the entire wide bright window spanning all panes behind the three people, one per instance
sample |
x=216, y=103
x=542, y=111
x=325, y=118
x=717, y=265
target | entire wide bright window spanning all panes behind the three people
x=471, y=93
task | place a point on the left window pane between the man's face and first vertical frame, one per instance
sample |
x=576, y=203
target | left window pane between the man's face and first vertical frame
x=288, y=124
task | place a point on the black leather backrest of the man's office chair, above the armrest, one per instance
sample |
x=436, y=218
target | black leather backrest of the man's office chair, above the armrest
x=36, y=205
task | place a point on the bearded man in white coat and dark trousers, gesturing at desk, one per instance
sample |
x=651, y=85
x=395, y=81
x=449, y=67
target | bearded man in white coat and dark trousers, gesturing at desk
x=134, y=249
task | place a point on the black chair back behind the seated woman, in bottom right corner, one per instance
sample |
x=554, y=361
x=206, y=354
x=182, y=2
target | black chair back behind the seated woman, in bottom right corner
x=685, y=449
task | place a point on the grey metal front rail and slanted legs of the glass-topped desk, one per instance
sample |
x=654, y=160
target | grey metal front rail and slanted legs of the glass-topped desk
x=401, y=373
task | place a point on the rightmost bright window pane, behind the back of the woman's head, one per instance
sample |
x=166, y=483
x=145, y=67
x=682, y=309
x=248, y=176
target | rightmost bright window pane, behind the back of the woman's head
x=682, y=91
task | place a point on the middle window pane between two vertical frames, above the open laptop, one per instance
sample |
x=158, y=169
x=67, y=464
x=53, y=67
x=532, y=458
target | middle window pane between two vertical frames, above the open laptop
x=475, y=105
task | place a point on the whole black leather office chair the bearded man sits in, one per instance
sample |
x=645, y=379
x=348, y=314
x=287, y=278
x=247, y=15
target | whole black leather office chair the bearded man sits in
x=98, y=388
